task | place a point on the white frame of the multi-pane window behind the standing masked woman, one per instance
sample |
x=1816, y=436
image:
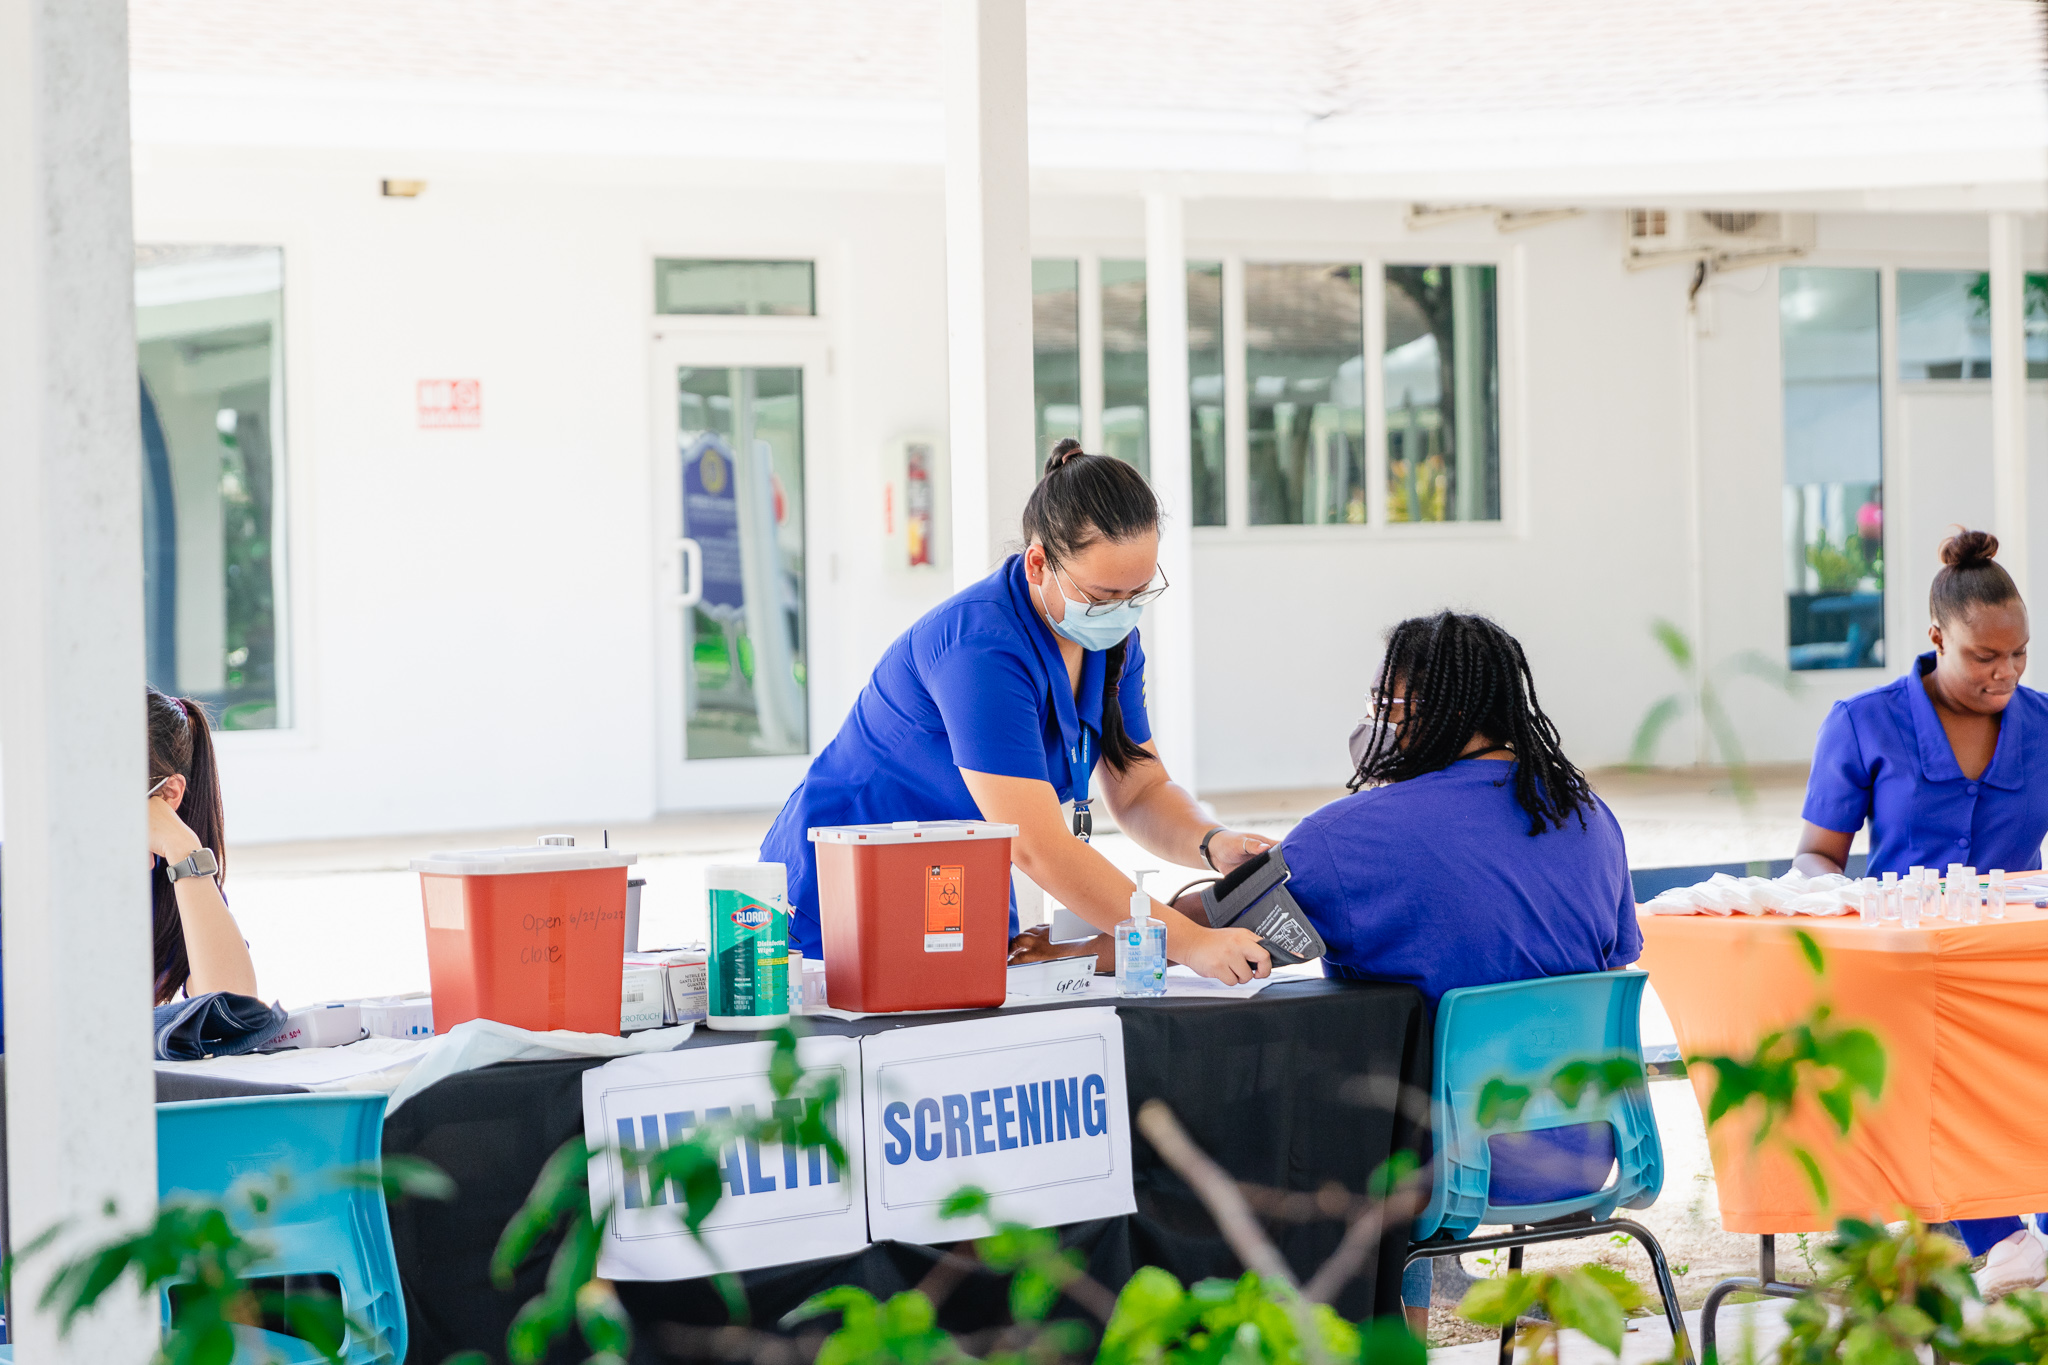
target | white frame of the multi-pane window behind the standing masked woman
x=1373, y=259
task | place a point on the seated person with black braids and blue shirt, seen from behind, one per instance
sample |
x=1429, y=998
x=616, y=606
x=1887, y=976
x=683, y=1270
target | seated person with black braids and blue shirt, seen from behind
x=1471, y=852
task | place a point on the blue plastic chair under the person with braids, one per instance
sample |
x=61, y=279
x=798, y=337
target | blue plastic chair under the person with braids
x=1521, y=1032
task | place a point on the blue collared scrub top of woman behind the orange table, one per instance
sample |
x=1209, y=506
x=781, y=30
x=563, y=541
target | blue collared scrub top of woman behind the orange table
x=1885, y=758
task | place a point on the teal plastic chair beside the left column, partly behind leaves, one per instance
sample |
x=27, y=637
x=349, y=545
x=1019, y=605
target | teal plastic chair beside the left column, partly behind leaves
x=206, y=1147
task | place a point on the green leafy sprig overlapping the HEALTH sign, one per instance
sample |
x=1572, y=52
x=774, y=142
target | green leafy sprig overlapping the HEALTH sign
x=560, y=1202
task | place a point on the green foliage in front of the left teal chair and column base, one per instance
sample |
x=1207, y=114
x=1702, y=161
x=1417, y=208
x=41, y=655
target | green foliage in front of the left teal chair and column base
x=202, y=1249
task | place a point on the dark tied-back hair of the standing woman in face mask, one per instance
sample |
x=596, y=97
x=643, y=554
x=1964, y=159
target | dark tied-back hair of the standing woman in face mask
x=1084, y=498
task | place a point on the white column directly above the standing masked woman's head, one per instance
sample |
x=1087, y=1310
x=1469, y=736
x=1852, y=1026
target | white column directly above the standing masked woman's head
x=988, y=279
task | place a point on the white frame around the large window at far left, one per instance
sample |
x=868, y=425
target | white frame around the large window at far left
x=298, y=468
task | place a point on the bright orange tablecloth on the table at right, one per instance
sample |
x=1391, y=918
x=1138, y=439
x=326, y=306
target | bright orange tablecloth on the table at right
x=1961, y=1010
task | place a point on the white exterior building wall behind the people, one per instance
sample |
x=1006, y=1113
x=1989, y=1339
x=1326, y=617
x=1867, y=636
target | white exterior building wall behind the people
x=472, y=611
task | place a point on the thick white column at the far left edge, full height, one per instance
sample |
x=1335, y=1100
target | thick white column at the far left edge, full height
x=79, y=1086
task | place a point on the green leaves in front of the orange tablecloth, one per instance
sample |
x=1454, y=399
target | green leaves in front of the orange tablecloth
x=1818, y=1057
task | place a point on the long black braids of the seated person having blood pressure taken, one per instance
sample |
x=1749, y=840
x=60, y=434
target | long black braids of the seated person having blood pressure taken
x=1463, y=676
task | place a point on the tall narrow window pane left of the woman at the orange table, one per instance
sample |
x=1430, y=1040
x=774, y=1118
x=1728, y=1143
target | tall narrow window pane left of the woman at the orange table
x=1834, y=492
